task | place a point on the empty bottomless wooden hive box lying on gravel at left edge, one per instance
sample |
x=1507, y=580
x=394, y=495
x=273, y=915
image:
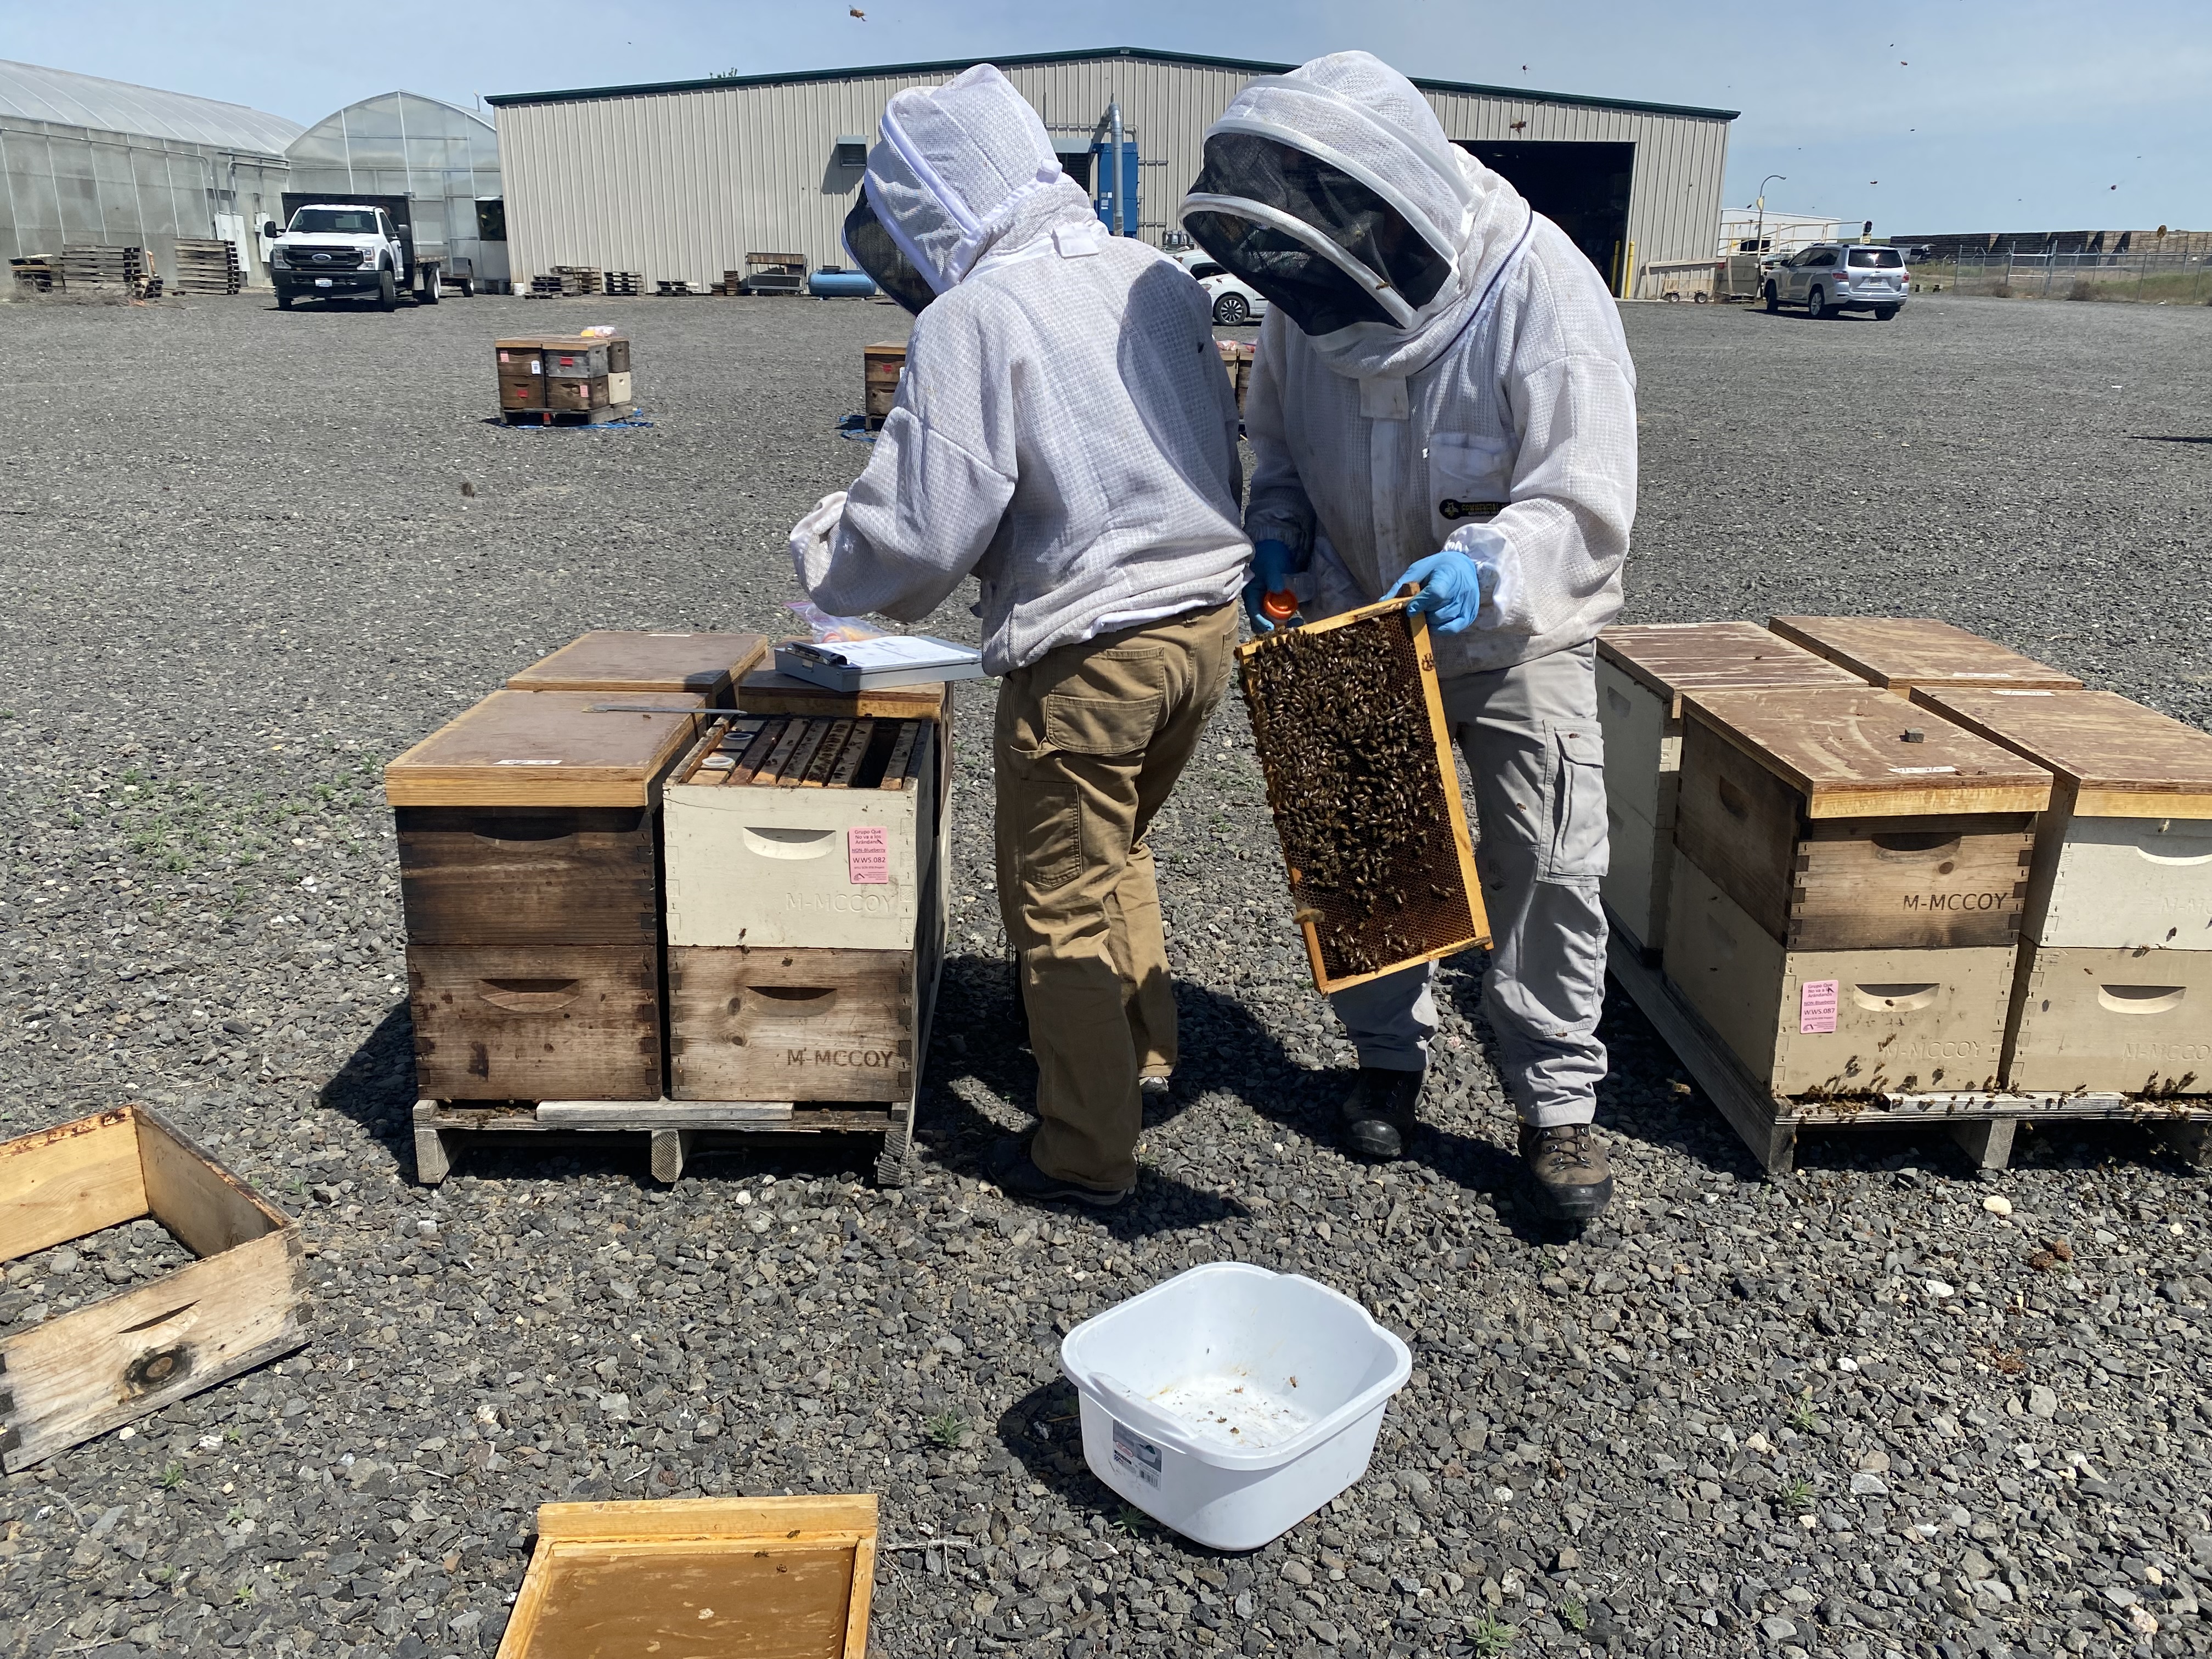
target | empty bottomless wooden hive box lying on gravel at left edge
x=112, y=1361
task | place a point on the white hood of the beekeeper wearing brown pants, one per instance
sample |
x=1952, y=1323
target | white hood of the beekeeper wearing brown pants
x=966, y=169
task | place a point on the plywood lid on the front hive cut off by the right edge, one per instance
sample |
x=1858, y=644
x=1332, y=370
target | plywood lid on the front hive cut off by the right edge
x=2125, y=760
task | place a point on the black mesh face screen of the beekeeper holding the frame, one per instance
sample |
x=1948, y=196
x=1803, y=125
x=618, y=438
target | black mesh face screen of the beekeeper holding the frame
x=1317, y=295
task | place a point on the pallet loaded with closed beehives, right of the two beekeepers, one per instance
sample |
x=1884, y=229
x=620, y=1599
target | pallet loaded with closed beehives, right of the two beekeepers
x=1881, y=870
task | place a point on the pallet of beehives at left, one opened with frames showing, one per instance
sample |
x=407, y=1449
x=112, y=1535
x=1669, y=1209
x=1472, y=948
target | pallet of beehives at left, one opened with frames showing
x=802, y=917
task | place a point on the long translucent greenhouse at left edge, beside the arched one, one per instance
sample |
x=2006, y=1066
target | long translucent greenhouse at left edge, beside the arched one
x=101, y=163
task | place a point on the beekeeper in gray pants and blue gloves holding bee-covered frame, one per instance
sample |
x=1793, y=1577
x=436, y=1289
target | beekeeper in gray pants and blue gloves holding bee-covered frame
x=1443, y=397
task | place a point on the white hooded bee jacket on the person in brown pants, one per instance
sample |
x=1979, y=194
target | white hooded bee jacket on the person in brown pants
x=1063, y=428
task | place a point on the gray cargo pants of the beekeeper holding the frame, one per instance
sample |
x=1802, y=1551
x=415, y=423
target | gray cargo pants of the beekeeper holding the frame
x=1536, y=755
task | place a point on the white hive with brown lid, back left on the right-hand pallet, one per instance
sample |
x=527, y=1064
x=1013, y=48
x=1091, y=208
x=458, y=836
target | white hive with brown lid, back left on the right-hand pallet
x=1642, y=674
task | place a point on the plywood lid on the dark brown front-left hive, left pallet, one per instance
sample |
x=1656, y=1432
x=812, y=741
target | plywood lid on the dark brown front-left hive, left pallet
x=547, y=751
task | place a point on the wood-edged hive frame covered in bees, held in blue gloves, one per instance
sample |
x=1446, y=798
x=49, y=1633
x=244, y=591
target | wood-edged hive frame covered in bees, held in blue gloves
x=1344, y=941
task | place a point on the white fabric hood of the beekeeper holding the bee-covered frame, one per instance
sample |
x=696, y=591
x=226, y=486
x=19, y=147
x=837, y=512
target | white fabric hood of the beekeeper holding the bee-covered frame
x=1364, y=118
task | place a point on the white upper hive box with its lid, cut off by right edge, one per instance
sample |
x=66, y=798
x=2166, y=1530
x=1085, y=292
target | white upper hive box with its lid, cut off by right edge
x=2125, y=855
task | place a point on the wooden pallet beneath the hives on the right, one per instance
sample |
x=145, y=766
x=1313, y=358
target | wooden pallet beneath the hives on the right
x=1983, y=1123
